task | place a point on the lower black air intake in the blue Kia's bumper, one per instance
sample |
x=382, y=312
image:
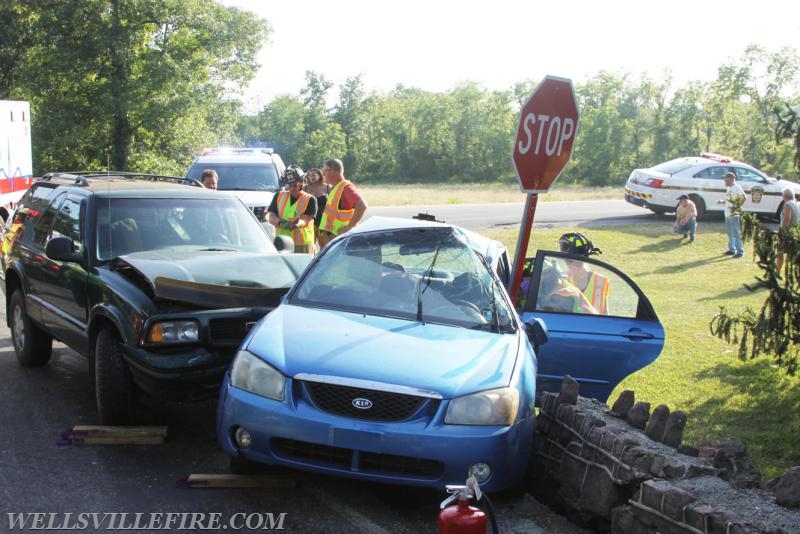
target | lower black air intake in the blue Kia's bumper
x=351, y=460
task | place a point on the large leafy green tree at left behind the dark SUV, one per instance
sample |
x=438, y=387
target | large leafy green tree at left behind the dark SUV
x=135, y=83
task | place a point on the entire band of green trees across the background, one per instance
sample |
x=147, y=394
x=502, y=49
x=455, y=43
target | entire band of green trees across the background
x=142, y=85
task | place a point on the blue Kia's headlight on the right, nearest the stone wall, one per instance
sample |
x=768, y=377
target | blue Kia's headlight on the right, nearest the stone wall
x=490, y=407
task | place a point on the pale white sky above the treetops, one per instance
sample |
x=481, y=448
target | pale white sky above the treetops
x=434, y=45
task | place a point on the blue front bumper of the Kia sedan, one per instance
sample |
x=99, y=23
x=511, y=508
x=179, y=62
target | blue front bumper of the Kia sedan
x=420, y=451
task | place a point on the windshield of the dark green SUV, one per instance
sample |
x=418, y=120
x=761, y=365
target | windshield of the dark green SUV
x=126, y=225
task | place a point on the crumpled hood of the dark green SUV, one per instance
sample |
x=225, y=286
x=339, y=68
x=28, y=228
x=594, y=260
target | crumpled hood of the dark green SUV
x=214, y=279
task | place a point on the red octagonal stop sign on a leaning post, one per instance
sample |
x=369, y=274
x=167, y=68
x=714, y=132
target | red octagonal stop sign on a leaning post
x=548, y=124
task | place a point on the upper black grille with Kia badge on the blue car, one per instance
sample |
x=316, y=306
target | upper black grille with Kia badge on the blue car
x=361, y=403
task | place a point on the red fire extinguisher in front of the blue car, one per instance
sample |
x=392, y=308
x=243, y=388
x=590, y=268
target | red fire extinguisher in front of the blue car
x=461, y=517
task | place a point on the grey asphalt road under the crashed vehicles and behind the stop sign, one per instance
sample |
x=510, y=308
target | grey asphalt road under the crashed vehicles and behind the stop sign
x=39, y=475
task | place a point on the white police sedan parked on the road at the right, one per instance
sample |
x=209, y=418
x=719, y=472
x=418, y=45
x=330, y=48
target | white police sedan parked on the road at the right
x=658, y=188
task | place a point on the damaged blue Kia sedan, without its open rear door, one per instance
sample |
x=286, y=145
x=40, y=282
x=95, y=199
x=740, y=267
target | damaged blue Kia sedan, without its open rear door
x=397, y=357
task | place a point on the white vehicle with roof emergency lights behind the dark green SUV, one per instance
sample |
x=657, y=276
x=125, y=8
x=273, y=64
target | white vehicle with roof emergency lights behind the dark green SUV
x=253, y=174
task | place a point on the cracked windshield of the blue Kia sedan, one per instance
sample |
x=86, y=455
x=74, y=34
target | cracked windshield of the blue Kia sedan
x=420, y=274
